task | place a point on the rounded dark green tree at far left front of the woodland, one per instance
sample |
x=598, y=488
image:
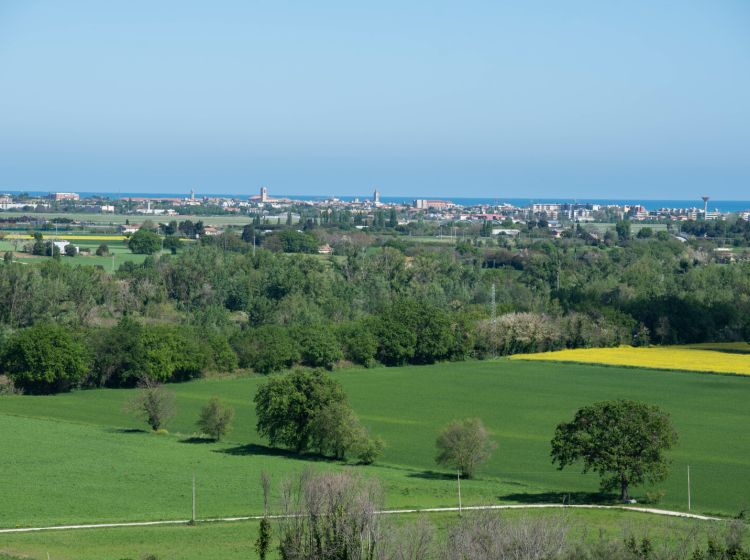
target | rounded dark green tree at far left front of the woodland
x=45, y=358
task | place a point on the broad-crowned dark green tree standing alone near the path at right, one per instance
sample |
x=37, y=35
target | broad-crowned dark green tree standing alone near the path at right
x=624, y=441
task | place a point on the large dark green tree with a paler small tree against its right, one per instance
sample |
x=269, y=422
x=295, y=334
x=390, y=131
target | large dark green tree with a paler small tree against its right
x=287, y=405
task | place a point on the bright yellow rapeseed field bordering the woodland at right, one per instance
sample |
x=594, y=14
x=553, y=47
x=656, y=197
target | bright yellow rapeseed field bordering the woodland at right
x=712, y=357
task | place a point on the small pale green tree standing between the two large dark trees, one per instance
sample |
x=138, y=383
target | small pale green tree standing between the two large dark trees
x=464, y=445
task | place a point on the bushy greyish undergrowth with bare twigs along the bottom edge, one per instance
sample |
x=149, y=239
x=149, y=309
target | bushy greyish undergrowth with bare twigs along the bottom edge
x=334, y=516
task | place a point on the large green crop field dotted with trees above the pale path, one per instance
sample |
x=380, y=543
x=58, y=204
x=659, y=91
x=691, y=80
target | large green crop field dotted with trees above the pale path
x=79, y=457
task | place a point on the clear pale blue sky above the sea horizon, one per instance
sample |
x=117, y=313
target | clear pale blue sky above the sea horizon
x=504, y=99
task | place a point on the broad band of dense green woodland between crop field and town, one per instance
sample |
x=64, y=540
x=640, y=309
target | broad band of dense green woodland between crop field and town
x=225, y=303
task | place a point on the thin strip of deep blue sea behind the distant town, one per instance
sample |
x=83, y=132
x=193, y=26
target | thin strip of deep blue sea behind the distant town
x=713, y=205
